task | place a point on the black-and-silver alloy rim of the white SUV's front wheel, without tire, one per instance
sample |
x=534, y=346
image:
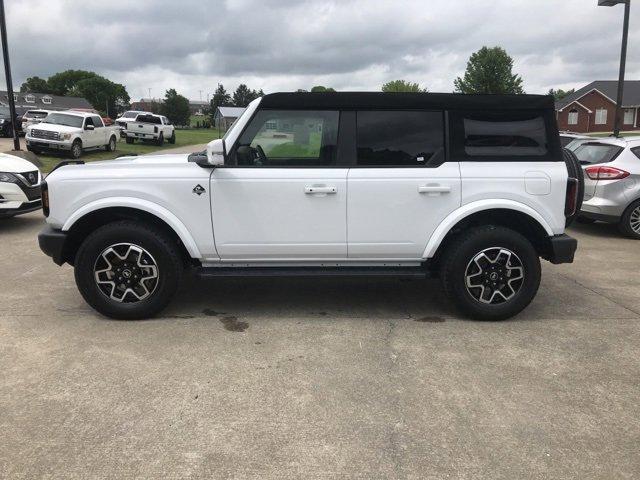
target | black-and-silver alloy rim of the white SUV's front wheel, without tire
x=126, y=273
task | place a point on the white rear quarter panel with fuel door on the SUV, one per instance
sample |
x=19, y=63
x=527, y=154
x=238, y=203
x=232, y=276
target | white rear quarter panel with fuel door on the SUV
x=539, y=185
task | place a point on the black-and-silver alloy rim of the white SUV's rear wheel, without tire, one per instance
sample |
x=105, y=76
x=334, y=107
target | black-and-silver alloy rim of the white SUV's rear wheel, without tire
x=494, y=276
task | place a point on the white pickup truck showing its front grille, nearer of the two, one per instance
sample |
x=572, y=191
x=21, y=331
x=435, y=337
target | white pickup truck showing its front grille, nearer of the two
x=71, y=132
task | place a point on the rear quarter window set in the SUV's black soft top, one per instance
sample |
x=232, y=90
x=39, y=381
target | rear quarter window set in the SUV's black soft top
x=488, y=137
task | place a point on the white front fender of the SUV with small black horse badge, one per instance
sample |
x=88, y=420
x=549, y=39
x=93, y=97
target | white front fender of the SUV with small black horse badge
x=160, y=185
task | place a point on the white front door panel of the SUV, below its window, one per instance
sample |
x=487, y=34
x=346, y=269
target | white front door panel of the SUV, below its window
x=272, y=213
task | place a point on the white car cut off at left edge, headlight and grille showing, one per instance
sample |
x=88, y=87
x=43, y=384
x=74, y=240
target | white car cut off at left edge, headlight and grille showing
x=19, y=186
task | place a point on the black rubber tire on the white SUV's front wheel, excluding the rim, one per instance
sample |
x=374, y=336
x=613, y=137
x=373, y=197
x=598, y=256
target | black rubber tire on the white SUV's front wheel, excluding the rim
x=164, y=251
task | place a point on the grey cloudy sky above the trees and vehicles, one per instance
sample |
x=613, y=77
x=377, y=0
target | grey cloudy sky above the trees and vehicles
x=283, y=45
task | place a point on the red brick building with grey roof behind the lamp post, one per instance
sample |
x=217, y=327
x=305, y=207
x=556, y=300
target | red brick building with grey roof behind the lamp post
x=593, y=107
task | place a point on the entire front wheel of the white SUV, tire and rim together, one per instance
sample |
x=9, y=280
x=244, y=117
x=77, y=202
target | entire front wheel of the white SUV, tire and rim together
x=128, y=270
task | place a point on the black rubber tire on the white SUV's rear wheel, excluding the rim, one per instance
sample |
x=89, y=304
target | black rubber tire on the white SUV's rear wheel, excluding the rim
x=461, y=252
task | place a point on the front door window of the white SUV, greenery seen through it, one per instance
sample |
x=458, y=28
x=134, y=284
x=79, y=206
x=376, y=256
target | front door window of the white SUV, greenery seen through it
x=289, y=138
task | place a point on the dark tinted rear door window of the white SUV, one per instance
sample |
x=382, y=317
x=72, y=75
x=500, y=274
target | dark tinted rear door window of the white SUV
x=387, y=138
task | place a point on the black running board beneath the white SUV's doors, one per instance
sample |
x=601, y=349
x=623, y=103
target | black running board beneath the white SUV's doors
x=210, y=272
